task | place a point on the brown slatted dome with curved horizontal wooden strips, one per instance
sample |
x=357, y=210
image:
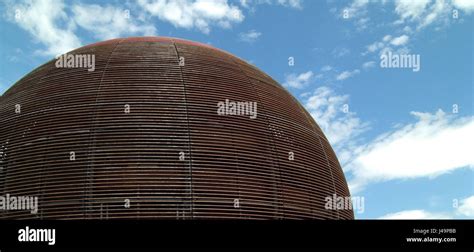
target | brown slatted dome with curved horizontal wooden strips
x=162, y=128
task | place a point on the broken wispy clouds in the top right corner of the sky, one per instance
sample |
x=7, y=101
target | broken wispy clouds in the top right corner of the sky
x=411, y=17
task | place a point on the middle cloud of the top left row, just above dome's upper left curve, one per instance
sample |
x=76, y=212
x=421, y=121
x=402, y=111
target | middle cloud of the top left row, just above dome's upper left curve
x=108, y=22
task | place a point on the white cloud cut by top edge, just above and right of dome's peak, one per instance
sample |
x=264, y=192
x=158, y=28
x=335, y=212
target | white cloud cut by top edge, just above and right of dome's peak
x=200, y=14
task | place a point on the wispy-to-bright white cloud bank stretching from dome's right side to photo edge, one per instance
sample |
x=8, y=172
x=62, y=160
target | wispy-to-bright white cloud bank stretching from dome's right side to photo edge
x=433, y=145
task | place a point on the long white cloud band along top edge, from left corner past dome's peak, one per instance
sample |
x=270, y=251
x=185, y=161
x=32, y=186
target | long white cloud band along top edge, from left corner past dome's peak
x=54, y=24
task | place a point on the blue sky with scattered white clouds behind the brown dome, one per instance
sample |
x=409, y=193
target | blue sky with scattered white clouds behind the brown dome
x=404, y=138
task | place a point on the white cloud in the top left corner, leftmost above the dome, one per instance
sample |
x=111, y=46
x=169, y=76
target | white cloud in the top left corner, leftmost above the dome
x=42, y=20
